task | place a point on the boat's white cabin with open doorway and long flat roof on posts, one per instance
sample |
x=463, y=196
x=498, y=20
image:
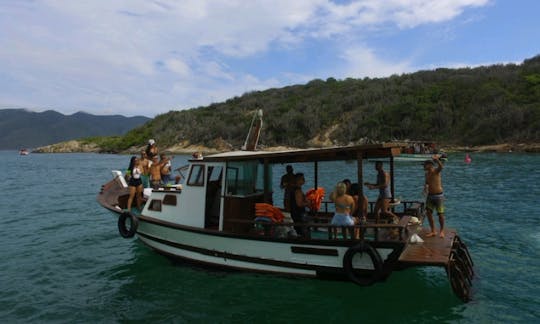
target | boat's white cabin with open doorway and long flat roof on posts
x=220, y=191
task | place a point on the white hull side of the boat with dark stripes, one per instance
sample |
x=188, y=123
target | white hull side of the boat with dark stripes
x=250, y=254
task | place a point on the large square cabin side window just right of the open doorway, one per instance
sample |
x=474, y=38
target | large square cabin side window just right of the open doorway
x=242, y=178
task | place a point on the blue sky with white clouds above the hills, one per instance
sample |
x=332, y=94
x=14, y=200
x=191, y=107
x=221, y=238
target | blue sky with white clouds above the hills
x=146, y=57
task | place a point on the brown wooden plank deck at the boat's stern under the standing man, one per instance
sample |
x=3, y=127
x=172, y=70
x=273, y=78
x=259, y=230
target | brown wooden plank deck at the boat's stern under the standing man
x=434, y=251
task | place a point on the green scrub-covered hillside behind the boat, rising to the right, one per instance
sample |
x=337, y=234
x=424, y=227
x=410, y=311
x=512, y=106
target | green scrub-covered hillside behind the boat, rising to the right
x=466, y=106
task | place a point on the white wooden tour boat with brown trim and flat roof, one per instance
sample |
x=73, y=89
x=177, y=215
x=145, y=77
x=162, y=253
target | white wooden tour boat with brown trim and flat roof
x=224, y=215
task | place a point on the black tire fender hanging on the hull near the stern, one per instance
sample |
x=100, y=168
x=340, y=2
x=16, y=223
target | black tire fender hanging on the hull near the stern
x=368, y=277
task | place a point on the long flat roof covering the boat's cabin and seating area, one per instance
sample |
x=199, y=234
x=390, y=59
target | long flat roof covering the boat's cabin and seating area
x=341, y=153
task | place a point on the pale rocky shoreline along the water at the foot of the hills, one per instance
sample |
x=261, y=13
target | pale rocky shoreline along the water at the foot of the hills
x=75, y=146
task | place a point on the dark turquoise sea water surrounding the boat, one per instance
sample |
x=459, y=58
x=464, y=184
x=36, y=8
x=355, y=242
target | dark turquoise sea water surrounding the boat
x=63, y=260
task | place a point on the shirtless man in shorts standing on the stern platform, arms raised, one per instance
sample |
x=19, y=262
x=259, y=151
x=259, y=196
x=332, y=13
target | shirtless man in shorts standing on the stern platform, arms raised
x=435, y=198
